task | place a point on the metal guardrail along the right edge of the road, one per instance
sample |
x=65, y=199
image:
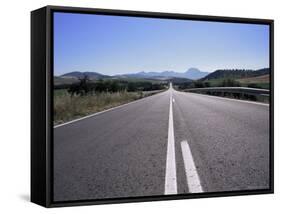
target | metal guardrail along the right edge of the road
x=232, y=90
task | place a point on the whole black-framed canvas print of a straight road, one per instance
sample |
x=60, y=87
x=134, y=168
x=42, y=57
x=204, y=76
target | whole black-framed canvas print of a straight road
x=132, y=106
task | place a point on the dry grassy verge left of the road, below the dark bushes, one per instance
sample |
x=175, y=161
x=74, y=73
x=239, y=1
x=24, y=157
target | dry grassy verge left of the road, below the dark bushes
x=67, y=107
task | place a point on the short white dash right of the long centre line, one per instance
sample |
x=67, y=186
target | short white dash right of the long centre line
x=193, y=180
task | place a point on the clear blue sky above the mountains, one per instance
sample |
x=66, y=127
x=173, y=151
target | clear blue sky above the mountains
x=117, y=45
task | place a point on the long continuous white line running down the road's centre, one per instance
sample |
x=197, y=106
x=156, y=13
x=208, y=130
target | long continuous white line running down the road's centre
x=171, y=175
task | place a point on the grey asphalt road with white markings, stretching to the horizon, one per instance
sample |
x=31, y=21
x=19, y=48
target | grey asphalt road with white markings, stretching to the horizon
x=169, y=143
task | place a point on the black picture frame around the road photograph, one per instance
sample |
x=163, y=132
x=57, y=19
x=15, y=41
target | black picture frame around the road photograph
x=42, y=104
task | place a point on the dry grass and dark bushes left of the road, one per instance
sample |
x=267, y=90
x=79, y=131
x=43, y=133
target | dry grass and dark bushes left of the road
x=85, y=97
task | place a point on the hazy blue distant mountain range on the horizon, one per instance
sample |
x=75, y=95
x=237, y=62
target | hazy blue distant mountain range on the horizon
x=192, y=73
